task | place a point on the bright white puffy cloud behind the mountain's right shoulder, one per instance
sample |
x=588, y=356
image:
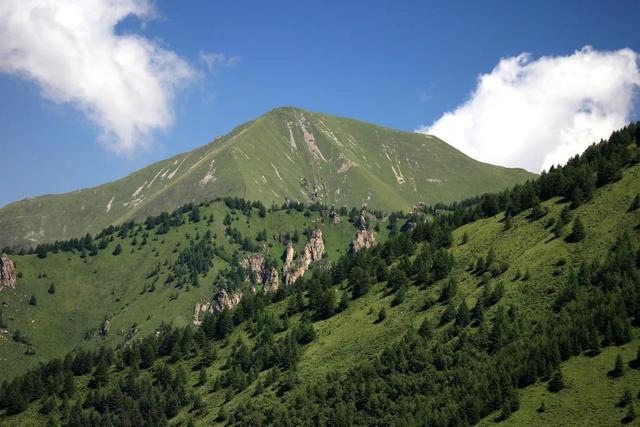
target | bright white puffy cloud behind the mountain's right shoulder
x=538, y=113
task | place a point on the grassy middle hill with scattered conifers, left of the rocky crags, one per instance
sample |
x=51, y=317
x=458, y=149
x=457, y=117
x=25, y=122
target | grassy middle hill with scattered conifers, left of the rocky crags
x=90, y=289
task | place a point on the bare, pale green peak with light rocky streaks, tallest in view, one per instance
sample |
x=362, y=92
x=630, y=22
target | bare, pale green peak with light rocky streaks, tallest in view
x=285, y=154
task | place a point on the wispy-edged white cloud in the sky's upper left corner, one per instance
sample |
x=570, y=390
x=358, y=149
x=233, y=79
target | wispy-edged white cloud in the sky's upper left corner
x=124, y=83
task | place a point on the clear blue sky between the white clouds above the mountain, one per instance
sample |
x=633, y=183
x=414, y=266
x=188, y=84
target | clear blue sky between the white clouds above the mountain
x=399, y=64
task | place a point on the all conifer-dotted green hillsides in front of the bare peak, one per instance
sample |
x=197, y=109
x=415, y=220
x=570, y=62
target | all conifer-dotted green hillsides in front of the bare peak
x=475, y=315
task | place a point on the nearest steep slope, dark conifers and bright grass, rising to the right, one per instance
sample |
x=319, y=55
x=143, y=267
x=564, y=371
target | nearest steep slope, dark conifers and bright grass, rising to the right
x=461, y=349
